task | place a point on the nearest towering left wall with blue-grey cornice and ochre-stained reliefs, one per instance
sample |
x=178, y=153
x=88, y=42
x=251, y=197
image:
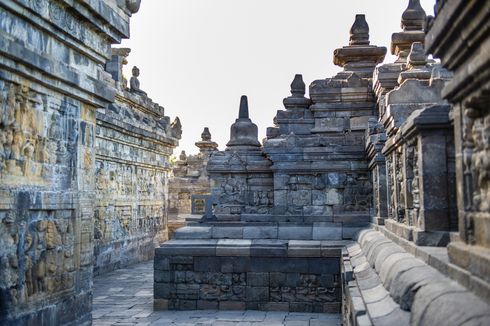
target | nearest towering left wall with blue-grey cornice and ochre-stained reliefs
x=52, y=82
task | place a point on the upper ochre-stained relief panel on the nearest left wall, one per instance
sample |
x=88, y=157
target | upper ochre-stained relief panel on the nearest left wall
x=38, y=136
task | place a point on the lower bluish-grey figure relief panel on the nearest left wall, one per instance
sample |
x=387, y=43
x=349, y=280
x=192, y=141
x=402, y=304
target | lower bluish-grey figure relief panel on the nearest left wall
x=45, y=259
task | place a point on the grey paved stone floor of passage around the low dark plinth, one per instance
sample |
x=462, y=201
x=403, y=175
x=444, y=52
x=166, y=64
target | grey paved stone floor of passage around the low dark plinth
x=125, y=297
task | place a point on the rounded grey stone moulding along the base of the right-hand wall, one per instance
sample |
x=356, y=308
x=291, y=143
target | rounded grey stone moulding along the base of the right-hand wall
x=405, y=284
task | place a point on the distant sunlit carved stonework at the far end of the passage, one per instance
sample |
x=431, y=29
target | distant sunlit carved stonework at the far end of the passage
x=189, y=186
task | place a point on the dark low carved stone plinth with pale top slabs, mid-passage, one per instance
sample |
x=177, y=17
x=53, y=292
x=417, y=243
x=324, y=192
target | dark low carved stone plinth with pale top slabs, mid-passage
x=233, y=274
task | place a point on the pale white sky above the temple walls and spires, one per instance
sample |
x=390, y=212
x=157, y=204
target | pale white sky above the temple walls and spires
x=197, y=57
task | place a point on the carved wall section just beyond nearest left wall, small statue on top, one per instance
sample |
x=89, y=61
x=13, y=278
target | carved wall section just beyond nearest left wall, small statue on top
x=133, y=144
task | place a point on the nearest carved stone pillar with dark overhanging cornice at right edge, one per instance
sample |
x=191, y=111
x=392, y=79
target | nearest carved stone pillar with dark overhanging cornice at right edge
x=470, y=97
